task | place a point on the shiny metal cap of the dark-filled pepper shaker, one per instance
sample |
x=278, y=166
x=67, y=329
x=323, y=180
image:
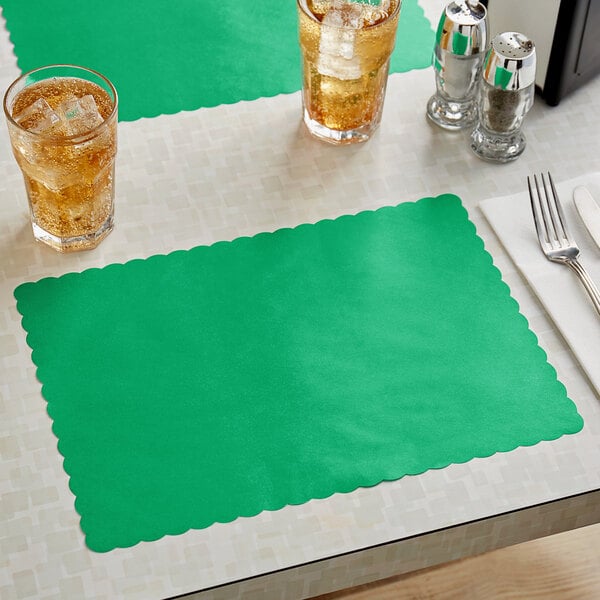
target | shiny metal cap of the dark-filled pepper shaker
x=510, y=62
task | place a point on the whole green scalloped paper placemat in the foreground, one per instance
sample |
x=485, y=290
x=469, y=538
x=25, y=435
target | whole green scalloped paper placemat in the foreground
x=208, y=384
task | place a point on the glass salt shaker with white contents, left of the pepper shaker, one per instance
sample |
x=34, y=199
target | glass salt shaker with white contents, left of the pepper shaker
x=458, y=54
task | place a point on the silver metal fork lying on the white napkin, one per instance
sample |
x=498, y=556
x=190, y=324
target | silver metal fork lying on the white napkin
x=551, y=228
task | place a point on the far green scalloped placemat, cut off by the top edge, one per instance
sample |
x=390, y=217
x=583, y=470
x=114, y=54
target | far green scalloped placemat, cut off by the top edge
x=165, y=56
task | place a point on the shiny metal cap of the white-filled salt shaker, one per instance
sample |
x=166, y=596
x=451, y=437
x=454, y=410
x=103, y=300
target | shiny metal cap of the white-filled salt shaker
x=462, y=29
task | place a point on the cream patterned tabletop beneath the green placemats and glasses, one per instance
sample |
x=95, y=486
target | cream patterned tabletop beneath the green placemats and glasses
x=198, y=177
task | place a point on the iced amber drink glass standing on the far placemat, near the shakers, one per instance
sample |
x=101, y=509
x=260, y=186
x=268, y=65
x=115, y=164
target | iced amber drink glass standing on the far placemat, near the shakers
x=346, y=47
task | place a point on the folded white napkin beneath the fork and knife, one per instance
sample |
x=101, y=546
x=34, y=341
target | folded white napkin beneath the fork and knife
x=557, y=286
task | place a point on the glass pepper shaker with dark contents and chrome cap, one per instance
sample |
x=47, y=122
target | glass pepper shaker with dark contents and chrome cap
x=506, y=94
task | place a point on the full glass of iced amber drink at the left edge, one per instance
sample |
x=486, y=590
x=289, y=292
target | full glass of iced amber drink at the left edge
x=62, y=122
